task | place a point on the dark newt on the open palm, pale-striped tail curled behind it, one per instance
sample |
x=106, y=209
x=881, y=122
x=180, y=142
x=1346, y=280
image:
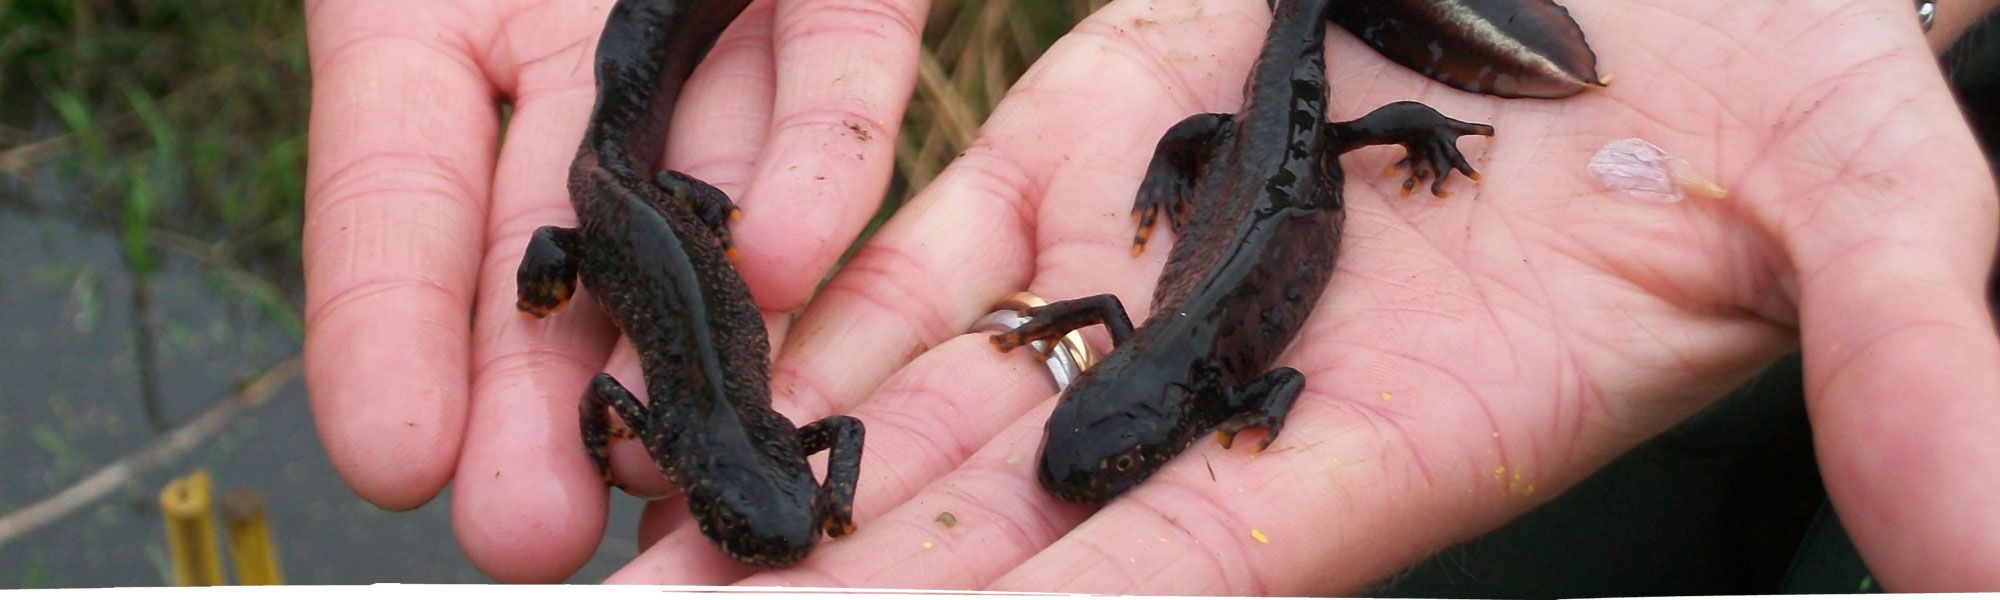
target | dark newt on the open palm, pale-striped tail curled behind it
x=1255, y=205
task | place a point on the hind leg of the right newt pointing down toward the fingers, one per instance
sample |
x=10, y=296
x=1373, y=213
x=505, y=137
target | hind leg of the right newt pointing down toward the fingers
x=1177, y=163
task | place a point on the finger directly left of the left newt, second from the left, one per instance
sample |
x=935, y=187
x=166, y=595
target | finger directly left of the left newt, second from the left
x=529, y=505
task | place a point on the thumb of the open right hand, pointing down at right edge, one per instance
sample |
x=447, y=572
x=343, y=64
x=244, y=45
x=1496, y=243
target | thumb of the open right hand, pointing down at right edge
x=1899, y=345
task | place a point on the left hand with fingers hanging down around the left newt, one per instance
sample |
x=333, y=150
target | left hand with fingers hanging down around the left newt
x=419, y=367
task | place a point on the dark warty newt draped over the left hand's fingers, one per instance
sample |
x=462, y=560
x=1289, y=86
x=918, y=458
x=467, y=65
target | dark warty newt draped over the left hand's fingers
x=655, y=255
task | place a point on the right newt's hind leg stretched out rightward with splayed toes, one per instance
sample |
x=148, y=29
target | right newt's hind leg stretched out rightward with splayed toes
x=1431, y=141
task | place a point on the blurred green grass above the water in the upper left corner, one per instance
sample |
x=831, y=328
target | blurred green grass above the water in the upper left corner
x=181, y=121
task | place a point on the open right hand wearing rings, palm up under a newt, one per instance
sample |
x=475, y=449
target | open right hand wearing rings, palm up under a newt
x=1475, y=357
